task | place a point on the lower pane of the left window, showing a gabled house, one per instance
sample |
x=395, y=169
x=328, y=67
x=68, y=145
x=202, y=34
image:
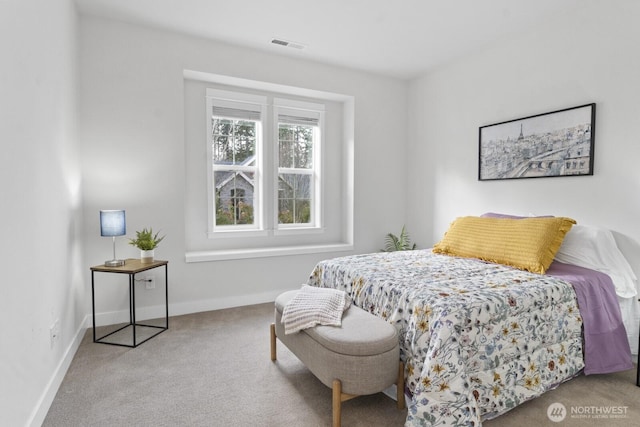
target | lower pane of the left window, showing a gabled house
x=234, y=197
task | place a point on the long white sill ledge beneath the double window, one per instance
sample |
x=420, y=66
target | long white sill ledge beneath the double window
x=223, y=255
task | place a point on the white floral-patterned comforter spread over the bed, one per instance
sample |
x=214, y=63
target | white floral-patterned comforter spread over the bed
x=476, y=338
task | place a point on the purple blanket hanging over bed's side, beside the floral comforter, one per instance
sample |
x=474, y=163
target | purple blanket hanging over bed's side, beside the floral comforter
x=606, y=348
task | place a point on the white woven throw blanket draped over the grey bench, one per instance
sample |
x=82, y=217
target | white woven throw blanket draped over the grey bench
x=314, y=306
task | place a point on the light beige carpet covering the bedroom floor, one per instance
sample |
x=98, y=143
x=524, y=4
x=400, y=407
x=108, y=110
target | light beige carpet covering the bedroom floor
x=213, y=369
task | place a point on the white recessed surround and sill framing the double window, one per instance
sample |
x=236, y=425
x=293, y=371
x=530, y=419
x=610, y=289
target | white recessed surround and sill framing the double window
x=337, y=232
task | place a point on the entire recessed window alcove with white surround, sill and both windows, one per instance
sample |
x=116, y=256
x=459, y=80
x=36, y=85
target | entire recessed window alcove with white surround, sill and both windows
x=250, y=191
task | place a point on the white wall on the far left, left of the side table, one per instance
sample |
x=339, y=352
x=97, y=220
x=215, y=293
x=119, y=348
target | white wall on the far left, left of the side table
x=41, y=253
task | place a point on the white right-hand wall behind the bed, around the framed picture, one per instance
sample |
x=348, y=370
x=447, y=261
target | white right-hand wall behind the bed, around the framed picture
x=587, y=56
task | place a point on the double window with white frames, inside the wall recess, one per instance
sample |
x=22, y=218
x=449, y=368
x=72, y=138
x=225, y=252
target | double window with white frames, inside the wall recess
x=256, y=163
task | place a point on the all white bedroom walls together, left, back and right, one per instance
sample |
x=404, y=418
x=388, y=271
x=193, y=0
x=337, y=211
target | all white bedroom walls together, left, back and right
x=132, y=134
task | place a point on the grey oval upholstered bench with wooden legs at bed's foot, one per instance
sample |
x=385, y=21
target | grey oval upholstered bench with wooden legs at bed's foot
x=360, y=357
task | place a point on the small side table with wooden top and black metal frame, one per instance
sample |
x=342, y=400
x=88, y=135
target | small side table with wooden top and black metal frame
x=131, y=268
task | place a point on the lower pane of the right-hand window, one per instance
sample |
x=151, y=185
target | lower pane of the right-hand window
x=294, y=199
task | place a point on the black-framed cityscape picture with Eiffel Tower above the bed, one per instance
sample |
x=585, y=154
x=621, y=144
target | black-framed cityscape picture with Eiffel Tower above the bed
x=559, y=143
